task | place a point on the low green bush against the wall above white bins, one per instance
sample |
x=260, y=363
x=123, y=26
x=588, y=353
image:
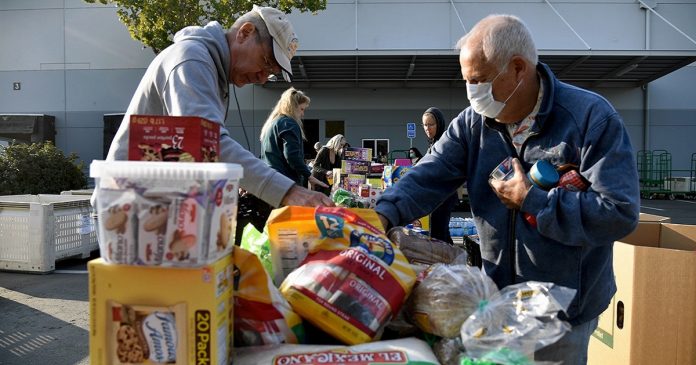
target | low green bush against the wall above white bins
x=38, y=168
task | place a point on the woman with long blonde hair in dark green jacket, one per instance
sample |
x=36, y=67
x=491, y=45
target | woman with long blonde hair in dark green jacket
x=282, y=135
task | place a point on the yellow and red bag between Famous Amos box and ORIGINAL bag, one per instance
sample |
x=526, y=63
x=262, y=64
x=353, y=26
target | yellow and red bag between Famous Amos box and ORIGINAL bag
x=262, y=315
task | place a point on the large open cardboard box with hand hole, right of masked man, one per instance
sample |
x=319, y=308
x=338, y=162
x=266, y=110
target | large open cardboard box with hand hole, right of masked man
x=652, y=317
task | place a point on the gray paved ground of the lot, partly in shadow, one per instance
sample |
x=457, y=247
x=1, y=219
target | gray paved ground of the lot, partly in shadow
x=44, y=319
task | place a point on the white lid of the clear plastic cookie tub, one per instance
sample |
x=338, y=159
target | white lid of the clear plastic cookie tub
x=165, y=170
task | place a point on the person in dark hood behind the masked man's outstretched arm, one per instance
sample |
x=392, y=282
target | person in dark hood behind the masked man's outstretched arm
x=434, y=126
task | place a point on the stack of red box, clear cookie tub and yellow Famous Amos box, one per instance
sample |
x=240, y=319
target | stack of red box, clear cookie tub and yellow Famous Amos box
x=162, y=290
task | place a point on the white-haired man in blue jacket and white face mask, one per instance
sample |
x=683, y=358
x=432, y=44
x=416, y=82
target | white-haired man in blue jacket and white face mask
x=519, y=109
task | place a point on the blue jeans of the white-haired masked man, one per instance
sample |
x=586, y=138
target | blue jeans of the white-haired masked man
x=571, y=349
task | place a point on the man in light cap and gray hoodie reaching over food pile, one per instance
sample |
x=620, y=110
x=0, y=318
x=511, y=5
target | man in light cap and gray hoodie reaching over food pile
x=192, y=76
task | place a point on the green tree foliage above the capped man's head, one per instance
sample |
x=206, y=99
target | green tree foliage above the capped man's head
x=154, y=22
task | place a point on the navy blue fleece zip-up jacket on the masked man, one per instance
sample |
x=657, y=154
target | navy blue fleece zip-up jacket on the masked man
x=572, y=244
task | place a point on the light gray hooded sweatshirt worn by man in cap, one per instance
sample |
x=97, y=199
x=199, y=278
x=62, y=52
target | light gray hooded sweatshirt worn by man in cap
x=190, y=78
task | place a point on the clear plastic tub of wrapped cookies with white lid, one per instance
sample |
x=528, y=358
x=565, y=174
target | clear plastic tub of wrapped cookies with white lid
x=169, y=214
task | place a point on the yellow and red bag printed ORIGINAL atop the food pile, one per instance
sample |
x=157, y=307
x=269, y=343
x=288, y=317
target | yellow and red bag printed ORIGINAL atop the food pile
x=352, y=281
